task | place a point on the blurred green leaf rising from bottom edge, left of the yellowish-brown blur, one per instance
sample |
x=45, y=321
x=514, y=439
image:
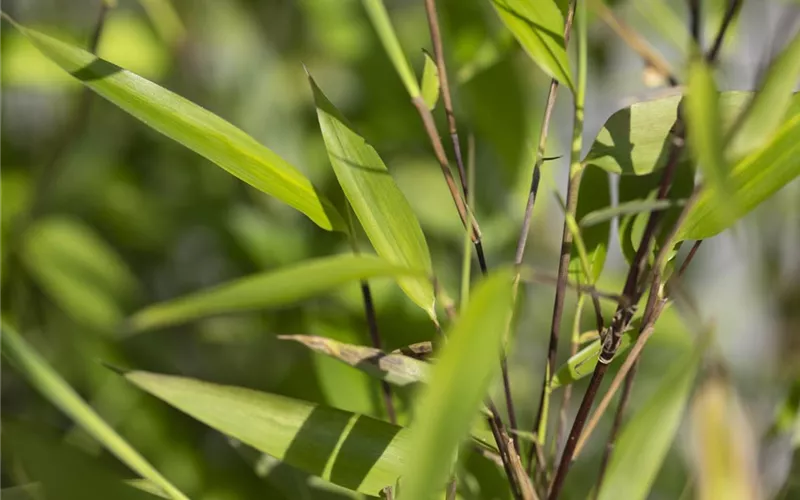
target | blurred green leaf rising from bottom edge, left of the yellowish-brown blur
x=655, y=424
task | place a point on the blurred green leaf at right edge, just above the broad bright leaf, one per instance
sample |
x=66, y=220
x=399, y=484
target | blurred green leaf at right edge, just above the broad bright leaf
x=761, y=120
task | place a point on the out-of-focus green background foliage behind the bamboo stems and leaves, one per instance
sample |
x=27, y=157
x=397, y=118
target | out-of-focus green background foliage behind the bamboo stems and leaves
x=123, y=217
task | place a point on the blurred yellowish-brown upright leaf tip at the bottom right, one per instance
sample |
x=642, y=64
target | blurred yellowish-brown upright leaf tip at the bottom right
x=723, y=450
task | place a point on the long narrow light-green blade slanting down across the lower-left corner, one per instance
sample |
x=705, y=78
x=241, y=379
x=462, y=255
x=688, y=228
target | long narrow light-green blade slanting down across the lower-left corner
x=57, y=391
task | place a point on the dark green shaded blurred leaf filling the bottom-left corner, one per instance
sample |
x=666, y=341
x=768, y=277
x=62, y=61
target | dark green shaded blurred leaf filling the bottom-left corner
x=63, y=472
